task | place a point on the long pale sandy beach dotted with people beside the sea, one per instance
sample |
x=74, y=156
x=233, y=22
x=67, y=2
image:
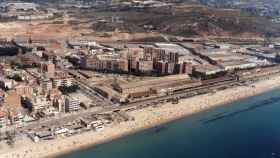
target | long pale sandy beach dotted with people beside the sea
x=144, y=118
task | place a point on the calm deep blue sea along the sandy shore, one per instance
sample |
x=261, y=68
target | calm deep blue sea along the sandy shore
x=249, y=128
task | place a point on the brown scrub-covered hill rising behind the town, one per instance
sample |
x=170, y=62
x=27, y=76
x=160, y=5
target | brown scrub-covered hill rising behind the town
x=193, y=20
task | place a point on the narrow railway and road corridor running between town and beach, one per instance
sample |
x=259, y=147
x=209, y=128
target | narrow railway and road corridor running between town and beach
x=206, y=87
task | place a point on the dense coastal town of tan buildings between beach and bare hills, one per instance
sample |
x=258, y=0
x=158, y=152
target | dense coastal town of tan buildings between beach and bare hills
x=93, y=77
